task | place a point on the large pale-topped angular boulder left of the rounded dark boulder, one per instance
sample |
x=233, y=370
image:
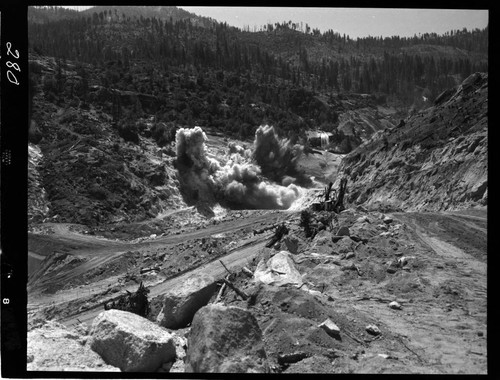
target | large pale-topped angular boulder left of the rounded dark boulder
x=131, y=342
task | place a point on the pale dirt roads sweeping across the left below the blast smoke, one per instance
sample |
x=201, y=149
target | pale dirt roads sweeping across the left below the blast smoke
x=95, y=252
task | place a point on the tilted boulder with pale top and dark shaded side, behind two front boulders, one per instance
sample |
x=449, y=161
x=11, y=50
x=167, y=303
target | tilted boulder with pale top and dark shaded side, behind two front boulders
x=182, y=302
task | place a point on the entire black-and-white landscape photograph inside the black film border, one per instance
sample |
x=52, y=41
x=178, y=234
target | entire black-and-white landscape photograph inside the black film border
x=271, y=190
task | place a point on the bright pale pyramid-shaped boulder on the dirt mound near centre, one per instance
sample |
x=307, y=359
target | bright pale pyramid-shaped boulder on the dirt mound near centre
x=279, y=270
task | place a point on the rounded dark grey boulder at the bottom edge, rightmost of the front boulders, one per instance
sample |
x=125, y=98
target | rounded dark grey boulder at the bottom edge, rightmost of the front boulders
x=225, y=339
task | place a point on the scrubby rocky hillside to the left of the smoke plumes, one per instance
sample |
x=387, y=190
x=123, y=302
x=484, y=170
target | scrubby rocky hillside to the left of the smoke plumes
x=86, y=169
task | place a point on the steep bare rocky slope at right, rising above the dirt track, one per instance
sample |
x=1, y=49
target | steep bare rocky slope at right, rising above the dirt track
x=435, y=160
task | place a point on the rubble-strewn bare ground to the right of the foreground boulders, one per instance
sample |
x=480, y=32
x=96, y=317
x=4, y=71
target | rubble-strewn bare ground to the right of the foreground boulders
x=441, y=327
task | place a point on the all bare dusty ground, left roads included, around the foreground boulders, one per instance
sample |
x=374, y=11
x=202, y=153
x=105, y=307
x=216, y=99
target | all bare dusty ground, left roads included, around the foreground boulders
x=441, y=327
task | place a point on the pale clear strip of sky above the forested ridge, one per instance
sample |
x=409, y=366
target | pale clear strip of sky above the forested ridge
x=355, y=22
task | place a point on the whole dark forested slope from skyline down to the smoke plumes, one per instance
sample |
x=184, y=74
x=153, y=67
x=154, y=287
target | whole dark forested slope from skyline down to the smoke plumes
x=286, y=74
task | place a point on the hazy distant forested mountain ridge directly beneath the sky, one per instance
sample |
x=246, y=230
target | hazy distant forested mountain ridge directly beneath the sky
x=325, y=61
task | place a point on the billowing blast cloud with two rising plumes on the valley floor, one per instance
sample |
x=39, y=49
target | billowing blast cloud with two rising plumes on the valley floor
x=238, y=181
